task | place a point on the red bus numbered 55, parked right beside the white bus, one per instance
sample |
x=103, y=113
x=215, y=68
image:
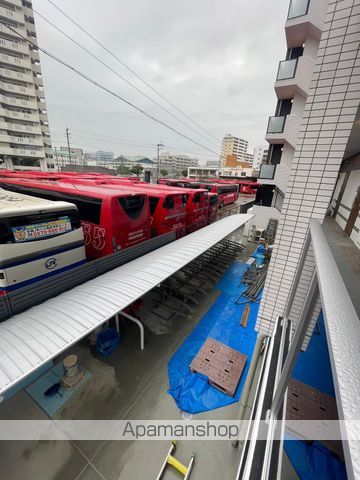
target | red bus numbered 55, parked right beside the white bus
x=112, y=219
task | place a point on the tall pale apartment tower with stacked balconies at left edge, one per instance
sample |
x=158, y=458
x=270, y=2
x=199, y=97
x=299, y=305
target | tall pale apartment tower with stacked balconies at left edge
x=24, y=128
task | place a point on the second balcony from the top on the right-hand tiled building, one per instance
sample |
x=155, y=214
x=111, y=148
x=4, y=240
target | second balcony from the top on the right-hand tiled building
x=294, y=77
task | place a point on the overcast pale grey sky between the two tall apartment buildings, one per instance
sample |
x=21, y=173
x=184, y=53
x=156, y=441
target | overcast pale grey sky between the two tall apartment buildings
x=215, y=60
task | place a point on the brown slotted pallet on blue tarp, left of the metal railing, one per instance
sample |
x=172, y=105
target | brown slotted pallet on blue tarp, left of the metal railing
x=222, y=365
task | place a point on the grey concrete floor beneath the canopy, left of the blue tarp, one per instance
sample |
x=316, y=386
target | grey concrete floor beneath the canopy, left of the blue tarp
x=130, y=384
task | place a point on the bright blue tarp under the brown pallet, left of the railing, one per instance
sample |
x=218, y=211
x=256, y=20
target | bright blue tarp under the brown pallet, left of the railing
x=191, y=391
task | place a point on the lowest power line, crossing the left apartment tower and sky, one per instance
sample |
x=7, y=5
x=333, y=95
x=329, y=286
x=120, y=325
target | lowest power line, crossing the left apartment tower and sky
x=105, y=89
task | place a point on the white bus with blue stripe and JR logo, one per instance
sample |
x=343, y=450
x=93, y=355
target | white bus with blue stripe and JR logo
x=38, y=239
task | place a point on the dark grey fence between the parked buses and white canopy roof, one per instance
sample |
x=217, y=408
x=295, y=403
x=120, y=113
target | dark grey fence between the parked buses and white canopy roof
x=26, y=297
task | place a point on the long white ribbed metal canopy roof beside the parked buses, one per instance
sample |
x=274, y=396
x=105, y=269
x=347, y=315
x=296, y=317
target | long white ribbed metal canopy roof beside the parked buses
x=32, y=338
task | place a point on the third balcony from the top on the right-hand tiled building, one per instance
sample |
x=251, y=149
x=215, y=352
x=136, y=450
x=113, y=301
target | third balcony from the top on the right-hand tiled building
x=283, y=129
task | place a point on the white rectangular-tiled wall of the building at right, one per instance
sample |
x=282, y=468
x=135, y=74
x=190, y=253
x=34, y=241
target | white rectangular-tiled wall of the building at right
x=329, y=114
